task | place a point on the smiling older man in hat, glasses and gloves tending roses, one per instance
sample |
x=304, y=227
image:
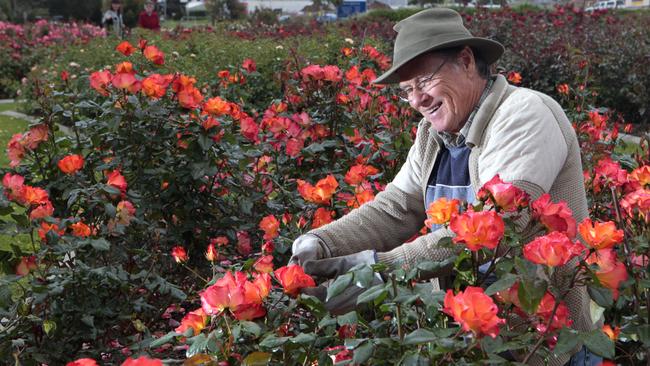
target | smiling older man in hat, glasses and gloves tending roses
x=474, y=126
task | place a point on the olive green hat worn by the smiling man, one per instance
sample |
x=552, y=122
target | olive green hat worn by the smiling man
x=430, y=30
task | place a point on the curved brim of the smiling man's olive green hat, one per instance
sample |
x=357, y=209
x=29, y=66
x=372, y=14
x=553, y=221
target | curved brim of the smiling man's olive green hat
x=488, y=49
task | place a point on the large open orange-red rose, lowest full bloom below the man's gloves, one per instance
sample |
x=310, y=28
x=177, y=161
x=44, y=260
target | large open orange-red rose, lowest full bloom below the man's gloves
x=474, y=310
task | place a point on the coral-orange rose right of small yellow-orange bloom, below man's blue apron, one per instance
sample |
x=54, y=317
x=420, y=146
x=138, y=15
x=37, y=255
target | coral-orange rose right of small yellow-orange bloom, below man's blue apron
x=478, y=229
